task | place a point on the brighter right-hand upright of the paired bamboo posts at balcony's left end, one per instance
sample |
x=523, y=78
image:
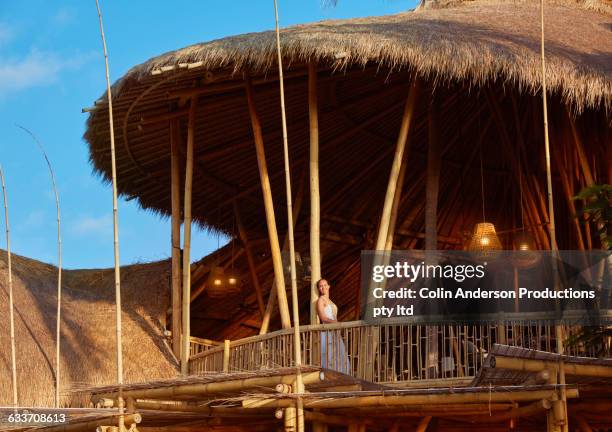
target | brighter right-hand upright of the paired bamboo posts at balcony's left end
x=187, y=240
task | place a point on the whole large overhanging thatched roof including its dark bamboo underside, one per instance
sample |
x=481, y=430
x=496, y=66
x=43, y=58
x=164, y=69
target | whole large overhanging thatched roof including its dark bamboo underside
x=480, y=58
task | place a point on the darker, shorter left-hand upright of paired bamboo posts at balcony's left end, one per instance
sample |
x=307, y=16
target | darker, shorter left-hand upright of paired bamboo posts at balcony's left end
x=175, y=192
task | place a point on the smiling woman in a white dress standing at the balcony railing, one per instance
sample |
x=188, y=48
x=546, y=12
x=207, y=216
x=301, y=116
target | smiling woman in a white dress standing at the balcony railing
x=333, y=351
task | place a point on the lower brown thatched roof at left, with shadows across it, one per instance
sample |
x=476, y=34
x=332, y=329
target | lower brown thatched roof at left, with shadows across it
x=88, y=329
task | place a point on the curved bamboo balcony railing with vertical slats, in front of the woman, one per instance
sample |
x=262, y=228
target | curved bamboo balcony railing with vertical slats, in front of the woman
x=385, y=353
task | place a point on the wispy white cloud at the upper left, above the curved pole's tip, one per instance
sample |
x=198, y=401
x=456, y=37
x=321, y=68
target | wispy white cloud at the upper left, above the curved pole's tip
x=38, y=68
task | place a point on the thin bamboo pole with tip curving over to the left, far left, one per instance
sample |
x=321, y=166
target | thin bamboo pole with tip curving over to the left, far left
x=59, y=266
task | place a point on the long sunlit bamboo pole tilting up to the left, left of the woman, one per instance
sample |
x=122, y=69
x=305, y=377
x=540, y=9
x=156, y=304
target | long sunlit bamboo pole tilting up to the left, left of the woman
x=269, y=208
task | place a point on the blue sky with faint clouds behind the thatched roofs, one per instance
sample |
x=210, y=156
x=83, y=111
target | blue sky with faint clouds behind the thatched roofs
x=51, y=66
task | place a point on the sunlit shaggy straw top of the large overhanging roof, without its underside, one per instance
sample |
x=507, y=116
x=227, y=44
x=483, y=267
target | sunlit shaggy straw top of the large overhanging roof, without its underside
x=475, y=40
